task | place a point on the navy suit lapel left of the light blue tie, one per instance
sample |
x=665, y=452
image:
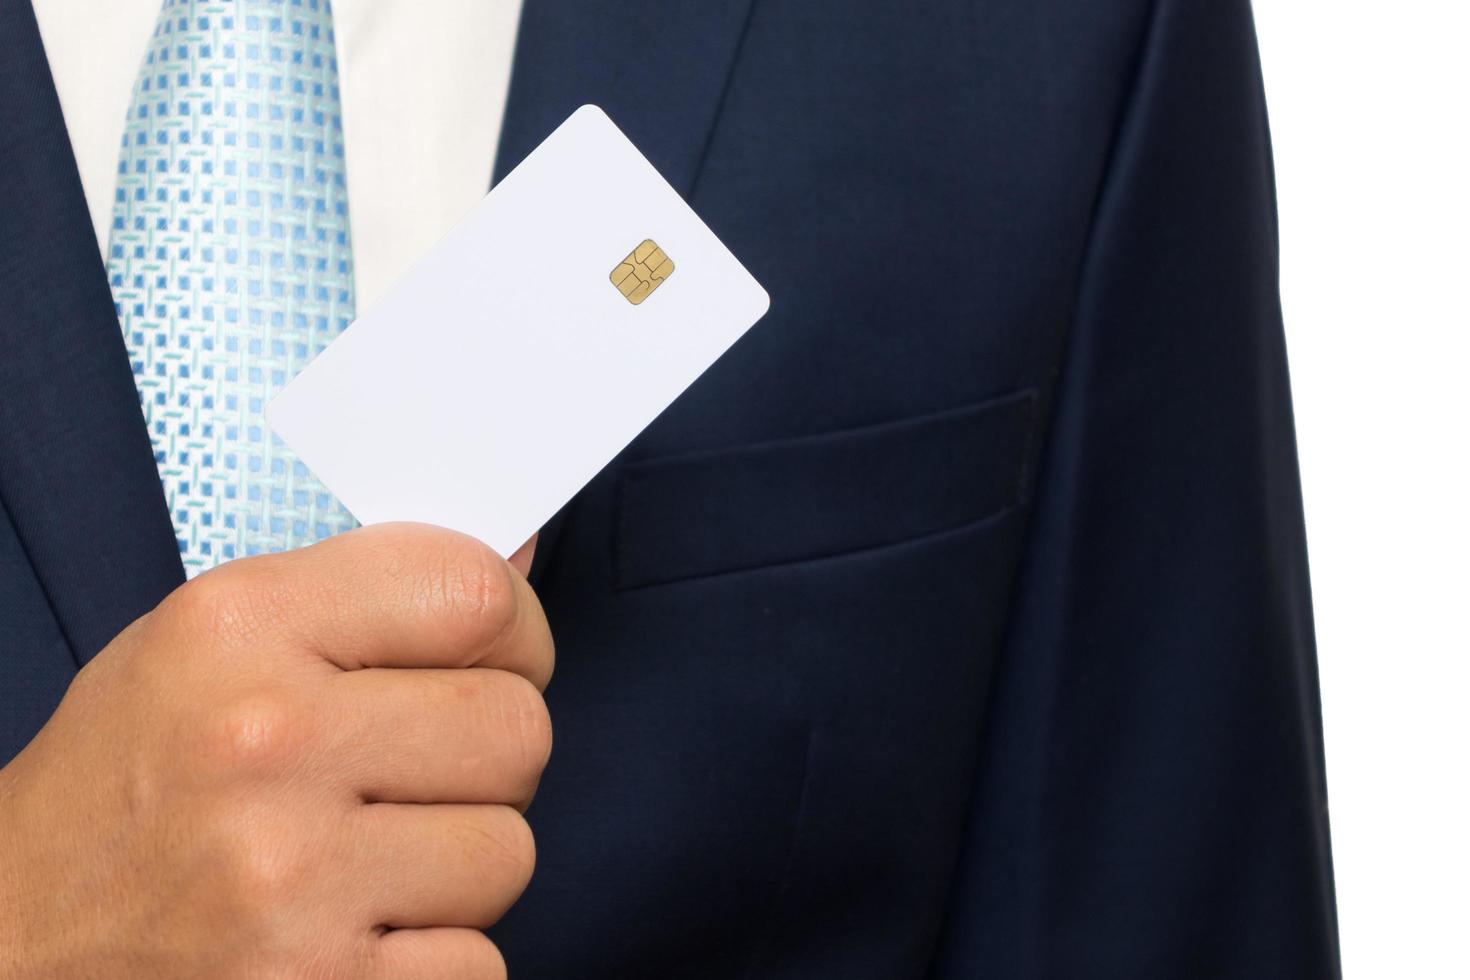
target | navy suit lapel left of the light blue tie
x=77, y=472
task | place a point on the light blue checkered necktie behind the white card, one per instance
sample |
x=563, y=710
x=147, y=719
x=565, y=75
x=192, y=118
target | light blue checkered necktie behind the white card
x=230, y=261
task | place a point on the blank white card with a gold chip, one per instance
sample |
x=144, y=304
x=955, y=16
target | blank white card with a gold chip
x=528, y=347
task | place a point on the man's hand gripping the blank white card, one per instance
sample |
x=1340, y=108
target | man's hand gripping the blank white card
x=308, y=765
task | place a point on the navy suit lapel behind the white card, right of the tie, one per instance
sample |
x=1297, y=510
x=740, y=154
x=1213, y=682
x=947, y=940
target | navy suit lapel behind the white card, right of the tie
x=659, y=68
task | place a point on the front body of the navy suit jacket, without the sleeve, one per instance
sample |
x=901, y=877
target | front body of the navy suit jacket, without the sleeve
x=777, y=613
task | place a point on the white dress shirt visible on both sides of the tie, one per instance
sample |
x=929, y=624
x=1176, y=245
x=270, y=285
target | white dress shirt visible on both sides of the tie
x=424, y=90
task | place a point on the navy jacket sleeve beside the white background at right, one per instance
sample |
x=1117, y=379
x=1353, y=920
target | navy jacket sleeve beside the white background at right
x=1152, y=799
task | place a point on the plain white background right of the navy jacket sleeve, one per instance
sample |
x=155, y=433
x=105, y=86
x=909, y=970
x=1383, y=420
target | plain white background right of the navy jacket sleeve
x=1371, y=112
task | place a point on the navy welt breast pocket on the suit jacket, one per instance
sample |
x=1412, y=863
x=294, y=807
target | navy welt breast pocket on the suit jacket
x=812, y=497
